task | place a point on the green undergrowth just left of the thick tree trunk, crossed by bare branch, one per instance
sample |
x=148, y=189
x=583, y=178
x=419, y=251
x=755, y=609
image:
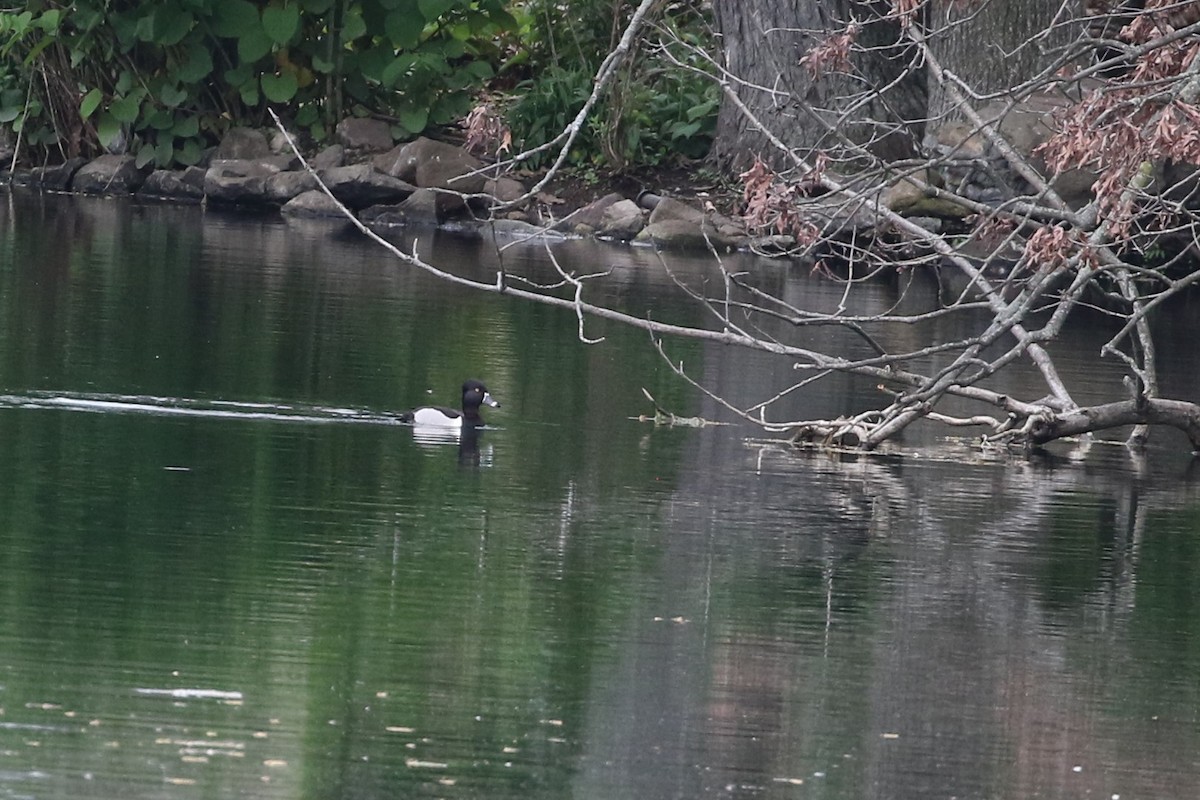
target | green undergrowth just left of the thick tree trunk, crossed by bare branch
x=655, y=115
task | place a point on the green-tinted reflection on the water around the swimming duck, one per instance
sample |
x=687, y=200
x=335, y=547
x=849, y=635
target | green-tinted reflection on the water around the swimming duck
x=373, y=616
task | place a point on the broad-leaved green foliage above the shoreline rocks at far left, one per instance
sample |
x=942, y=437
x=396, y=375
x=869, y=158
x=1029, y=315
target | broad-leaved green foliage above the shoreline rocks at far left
x=167, y=77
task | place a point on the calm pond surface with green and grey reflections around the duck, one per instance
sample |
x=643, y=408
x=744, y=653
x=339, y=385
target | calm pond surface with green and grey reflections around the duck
x=227, y=570
